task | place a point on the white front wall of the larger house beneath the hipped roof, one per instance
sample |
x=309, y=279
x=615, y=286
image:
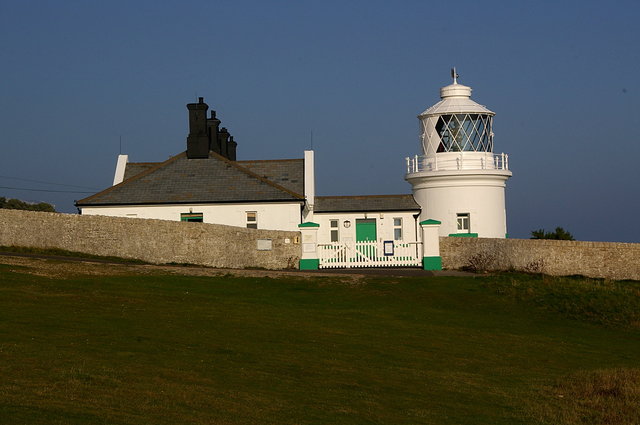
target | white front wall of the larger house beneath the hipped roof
x=271, y=216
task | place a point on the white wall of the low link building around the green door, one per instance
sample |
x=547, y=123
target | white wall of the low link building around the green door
x=384, y=225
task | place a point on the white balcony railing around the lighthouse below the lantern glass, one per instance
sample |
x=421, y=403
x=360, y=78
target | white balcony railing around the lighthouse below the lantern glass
x=461, y=161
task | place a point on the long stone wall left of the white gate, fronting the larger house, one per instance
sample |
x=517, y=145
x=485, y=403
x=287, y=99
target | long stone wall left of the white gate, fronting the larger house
x=154, y=241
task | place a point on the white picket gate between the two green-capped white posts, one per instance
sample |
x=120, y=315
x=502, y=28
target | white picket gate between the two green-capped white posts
x=340, y=255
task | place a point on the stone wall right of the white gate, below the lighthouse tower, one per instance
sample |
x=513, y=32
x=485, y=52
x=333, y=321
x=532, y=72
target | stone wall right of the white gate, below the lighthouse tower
x=594, y=259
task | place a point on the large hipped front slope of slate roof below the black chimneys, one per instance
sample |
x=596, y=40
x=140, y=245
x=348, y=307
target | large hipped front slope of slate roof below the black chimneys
x=182, y=180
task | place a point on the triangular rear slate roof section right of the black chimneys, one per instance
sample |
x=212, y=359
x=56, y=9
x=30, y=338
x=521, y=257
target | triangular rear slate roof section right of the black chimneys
x=287, y=173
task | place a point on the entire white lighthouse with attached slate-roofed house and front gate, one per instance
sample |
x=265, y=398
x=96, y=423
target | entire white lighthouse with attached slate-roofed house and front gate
x=458, y=187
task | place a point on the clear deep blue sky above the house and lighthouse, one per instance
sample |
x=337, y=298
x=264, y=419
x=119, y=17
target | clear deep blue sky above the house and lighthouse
x=562, y=77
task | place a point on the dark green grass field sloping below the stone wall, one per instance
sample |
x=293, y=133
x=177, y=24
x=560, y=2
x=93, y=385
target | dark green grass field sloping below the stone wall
x=141, y=348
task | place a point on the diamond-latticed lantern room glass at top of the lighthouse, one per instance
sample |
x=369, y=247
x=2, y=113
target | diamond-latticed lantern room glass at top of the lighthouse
x=465, y=132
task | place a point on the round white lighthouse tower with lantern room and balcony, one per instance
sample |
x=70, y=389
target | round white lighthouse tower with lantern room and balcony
x=457, y=179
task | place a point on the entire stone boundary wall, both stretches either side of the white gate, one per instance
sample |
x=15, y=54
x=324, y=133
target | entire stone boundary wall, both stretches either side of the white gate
x=214, y=245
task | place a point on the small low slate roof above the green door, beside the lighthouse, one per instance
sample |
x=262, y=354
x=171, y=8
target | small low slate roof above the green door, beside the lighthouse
x=365, y=203
